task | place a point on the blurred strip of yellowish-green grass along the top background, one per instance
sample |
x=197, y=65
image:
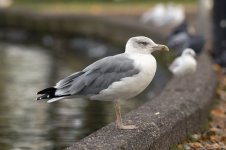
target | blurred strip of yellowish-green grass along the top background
x=93, y=7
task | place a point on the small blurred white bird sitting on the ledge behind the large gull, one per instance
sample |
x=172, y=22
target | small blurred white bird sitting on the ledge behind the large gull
x=185, y=64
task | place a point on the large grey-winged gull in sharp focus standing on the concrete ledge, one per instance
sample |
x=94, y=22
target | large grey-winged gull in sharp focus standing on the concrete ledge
x=112, y=78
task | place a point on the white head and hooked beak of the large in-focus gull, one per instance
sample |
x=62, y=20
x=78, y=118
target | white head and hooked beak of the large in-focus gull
x=143, y=45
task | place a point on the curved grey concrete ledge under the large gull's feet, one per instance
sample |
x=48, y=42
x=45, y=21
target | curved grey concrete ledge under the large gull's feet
x=183, y=108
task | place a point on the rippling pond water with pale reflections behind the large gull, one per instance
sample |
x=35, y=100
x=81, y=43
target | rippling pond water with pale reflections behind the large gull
x=29, y=124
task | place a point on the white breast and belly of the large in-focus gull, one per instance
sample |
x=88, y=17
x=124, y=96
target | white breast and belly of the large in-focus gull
x=129, y=87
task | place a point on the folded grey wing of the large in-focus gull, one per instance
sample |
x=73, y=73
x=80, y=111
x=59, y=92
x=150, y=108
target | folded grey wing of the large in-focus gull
x=97, y=76
